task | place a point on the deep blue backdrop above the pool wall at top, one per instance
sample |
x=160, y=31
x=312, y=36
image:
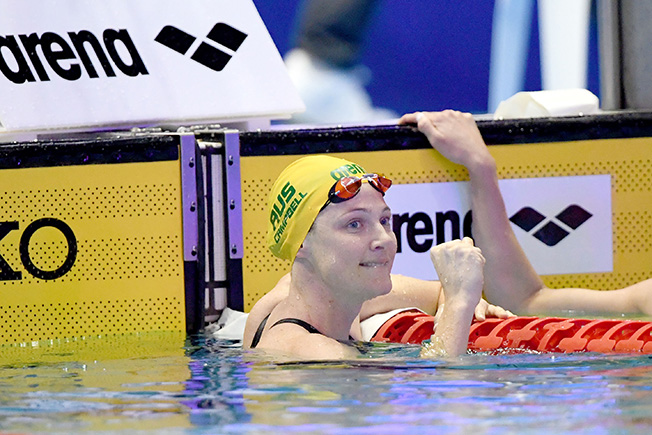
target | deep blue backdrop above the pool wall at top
x=428, y=54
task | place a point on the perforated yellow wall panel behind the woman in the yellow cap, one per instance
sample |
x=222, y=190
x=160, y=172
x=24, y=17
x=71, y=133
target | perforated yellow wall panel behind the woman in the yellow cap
x=629, y=161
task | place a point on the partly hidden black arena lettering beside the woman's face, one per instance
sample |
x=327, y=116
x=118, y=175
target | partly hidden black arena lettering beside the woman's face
x=420, y=224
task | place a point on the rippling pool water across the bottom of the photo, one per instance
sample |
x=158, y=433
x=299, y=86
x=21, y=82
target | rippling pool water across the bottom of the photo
x=205, y=386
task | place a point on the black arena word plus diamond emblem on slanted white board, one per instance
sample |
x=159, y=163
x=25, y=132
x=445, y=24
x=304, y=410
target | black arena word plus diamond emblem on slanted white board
x=26, y=58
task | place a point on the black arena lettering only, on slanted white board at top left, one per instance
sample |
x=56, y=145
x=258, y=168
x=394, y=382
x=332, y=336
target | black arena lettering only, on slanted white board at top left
x=82, y=51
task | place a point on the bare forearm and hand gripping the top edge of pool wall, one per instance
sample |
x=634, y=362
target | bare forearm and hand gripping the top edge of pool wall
x=509, y=279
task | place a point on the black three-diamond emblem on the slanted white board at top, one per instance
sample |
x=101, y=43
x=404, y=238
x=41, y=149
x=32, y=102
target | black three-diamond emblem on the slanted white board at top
x=206, y=54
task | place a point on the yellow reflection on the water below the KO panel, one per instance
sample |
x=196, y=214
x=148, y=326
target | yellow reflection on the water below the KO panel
x=96, y=384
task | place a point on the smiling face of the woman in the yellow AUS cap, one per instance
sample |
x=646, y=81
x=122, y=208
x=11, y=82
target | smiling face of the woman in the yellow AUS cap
x=351, y=245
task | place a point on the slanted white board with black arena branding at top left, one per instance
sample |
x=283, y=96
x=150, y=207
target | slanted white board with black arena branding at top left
x=74, y=64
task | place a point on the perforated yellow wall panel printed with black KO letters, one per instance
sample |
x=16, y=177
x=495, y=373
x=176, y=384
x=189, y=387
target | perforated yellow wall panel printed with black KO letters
x=91, y=250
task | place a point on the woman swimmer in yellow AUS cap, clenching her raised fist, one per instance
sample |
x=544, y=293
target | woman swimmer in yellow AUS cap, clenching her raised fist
x=328, y=216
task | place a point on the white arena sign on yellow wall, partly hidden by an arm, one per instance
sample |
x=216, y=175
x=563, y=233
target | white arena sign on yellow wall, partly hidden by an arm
x=564, y=224
